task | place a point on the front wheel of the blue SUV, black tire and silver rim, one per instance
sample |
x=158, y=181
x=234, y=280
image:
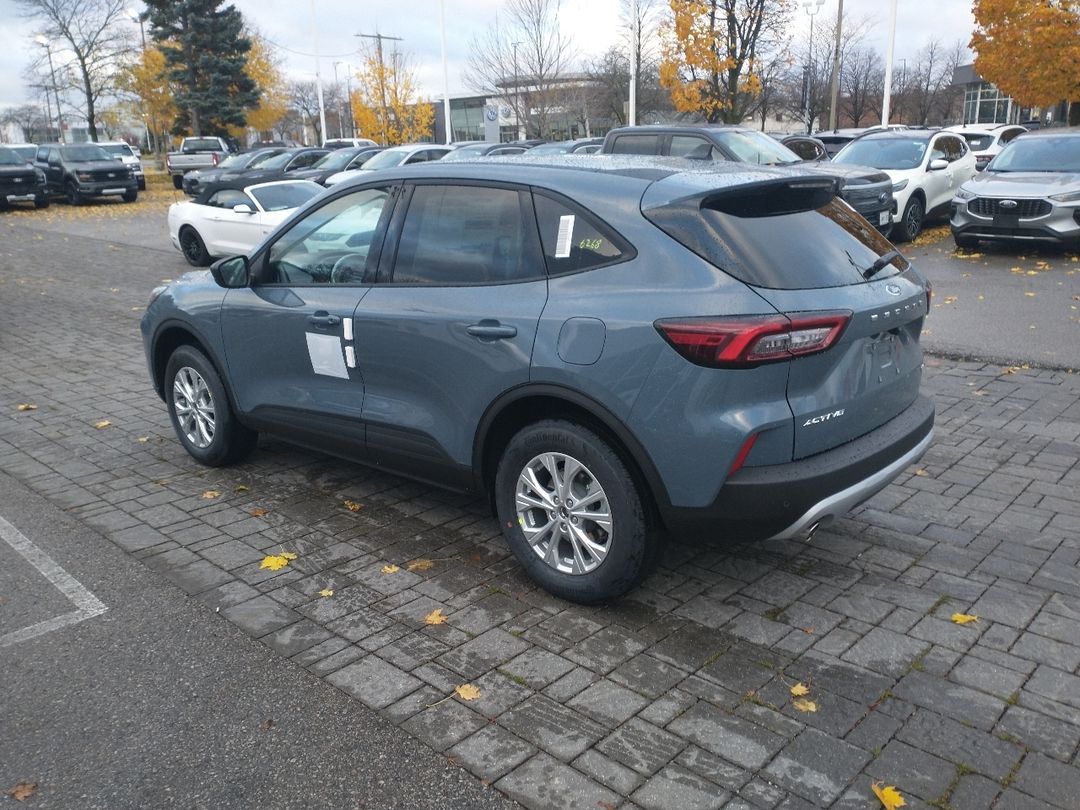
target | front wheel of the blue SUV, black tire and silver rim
x=202, y=416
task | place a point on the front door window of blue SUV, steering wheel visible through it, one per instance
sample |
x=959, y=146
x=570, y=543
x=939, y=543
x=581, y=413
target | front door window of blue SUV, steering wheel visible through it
x=332, y=246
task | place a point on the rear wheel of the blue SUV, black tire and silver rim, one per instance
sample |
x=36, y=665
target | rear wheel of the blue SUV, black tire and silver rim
x=629, y=550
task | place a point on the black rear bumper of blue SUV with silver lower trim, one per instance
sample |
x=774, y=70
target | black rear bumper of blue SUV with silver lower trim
x=787, y=502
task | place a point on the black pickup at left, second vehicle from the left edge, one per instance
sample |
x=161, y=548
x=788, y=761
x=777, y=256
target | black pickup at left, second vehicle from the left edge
x=83, y=171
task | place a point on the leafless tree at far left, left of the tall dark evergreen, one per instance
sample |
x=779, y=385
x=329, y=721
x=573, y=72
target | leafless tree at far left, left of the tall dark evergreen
x=94, y=34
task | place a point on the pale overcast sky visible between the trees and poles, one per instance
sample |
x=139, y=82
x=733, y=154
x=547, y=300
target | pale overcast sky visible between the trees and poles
x=591, y=24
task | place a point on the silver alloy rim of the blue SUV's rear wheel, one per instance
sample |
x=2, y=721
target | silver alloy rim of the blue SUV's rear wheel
x=564, y=514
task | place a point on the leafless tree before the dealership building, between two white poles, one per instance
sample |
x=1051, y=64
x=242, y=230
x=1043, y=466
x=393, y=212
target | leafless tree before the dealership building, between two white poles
x=523, y=59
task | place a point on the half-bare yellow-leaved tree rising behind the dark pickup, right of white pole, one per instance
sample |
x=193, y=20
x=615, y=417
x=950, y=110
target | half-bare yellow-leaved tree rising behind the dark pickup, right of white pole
x=713, y=51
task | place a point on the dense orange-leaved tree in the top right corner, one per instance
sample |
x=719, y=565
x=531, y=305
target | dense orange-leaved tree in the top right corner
x=1030, y=49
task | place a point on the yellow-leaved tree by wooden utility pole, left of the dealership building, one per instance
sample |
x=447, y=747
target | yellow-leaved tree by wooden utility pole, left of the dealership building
x=385, y=103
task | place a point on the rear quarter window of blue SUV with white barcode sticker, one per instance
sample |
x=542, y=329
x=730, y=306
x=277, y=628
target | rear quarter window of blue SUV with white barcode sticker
x=573, y=240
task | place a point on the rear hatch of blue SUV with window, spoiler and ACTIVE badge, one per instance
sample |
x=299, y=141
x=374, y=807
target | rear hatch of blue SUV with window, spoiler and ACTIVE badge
x=811, y=258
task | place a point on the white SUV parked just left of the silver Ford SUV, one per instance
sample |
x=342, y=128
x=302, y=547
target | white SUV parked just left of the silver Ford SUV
x=927, y=167
